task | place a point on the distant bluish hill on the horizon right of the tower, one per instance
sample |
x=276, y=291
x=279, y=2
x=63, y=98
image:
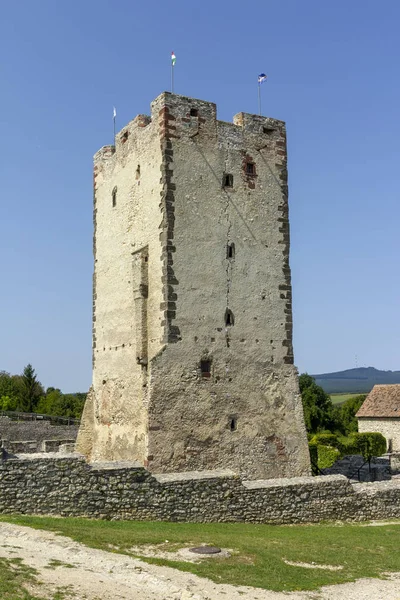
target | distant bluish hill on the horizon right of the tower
x=357, y=381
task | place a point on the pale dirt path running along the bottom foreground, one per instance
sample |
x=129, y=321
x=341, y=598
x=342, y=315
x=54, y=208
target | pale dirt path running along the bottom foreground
x=98, y=575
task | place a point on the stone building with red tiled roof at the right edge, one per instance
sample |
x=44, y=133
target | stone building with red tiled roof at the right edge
x=381, y=412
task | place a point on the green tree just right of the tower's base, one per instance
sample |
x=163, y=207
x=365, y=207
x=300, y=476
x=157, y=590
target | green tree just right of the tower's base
x=317, y=406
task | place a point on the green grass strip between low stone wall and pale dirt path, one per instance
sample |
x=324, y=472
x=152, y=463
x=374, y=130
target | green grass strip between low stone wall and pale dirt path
x=259, y=550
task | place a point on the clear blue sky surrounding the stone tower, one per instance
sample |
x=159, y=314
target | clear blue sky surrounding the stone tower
x=333, y=76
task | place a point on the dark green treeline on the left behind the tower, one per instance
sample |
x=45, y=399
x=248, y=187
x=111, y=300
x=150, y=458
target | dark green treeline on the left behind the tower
x=25, y=393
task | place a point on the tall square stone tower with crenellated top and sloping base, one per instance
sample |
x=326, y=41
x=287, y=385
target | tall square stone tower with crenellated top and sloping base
x=192, y=326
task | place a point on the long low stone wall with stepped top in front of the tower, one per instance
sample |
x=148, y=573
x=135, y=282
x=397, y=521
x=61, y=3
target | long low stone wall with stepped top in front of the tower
x=68, y=486
